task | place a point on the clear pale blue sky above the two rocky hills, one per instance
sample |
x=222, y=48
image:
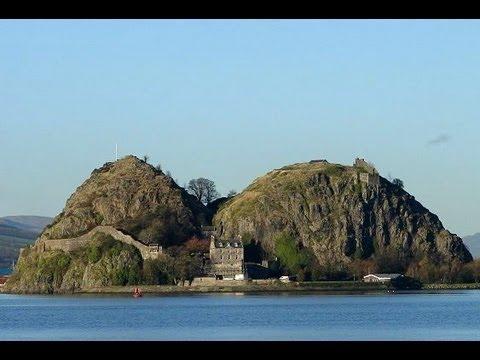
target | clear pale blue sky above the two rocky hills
x=231, y=100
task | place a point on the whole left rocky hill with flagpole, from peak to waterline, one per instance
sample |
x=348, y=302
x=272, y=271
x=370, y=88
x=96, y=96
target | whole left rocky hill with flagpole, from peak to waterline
x=129, y=198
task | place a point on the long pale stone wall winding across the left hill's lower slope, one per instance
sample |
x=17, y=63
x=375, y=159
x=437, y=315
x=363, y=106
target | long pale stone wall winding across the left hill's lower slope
x=72, y=244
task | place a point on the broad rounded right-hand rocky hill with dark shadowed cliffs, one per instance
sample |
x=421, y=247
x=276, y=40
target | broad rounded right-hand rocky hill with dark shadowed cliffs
x=329, y=209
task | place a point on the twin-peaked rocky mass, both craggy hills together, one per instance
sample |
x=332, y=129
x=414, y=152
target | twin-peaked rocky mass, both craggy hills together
x=336, y=213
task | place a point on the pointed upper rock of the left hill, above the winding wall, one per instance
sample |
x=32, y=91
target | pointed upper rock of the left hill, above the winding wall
x=133, y=196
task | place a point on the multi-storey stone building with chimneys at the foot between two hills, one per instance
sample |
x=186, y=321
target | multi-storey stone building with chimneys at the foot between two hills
x=227, y=258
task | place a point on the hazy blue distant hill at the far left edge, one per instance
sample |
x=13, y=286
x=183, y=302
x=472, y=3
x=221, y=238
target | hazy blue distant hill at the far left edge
x=17, y=232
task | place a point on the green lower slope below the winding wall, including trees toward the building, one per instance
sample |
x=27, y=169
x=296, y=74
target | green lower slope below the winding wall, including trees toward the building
x=102, y=262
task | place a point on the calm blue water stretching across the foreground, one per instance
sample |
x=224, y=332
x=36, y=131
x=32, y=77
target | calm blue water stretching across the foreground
x=420, y=316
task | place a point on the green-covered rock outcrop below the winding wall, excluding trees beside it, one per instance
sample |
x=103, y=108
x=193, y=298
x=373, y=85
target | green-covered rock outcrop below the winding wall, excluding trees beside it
x=103, y=262
